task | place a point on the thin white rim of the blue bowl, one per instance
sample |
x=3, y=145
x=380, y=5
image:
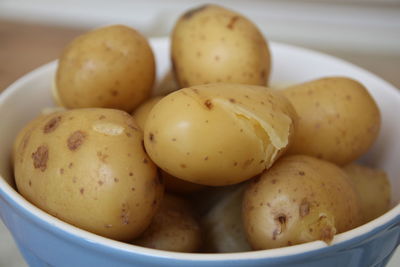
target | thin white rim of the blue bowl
x=43, y=219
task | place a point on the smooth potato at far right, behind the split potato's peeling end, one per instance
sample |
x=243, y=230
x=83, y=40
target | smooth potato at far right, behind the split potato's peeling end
x=339, y=120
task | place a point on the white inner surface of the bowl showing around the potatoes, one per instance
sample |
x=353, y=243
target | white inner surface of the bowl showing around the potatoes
x=25, y=99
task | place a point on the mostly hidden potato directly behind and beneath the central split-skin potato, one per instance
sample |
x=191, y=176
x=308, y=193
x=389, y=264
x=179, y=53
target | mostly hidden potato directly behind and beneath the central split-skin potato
x=172, y=184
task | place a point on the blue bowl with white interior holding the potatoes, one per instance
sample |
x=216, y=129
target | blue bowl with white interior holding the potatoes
x=44, y=240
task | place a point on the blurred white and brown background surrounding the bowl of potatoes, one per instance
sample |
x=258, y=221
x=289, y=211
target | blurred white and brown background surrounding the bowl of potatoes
x=364, y=32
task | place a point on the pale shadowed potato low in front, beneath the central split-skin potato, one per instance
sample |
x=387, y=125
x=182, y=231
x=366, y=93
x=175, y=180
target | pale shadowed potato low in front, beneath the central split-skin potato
x=223, y=224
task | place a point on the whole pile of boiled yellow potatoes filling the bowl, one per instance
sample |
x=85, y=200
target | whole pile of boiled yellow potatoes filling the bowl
x=222, y=163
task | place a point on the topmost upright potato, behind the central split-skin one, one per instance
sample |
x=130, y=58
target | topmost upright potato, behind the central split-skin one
x=212, y=44
